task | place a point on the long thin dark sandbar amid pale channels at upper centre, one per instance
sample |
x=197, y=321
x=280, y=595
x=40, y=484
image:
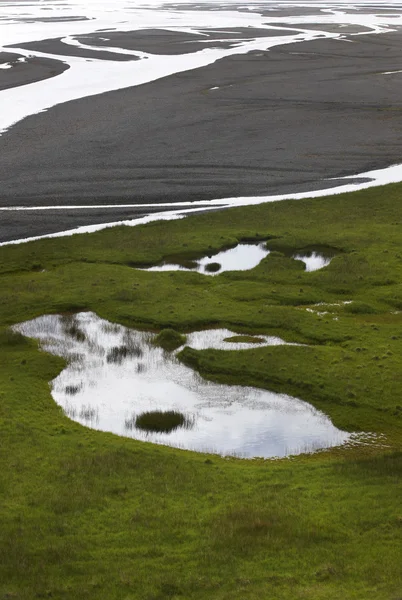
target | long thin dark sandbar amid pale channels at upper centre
x=162, y=41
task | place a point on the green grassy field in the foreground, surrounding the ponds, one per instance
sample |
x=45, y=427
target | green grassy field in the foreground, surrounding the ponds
x=89, y=515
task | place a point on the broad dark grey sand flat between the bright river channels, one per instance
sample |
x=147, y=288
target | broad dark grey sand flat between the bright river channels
x=280, y=122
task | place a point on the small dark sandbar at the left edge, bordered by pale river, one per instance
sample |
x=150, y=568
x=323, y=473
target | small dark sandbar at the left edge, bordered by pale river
x=31, y=70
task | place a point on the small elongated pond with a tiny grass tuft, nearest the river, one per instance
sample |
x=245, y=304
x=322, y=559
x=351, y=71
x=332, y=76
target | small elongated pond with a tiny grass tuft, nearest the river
x=241, y=258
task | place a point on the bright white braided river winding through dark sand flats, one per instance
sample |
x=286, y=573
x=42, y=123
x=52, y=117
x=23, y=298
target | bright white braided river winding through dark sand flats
x=90, y=38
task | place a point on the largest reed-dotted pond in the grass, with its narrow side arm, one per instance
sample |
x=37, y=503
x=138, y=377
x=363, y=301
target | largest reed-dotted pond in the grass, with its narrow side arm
x=115, y=374
